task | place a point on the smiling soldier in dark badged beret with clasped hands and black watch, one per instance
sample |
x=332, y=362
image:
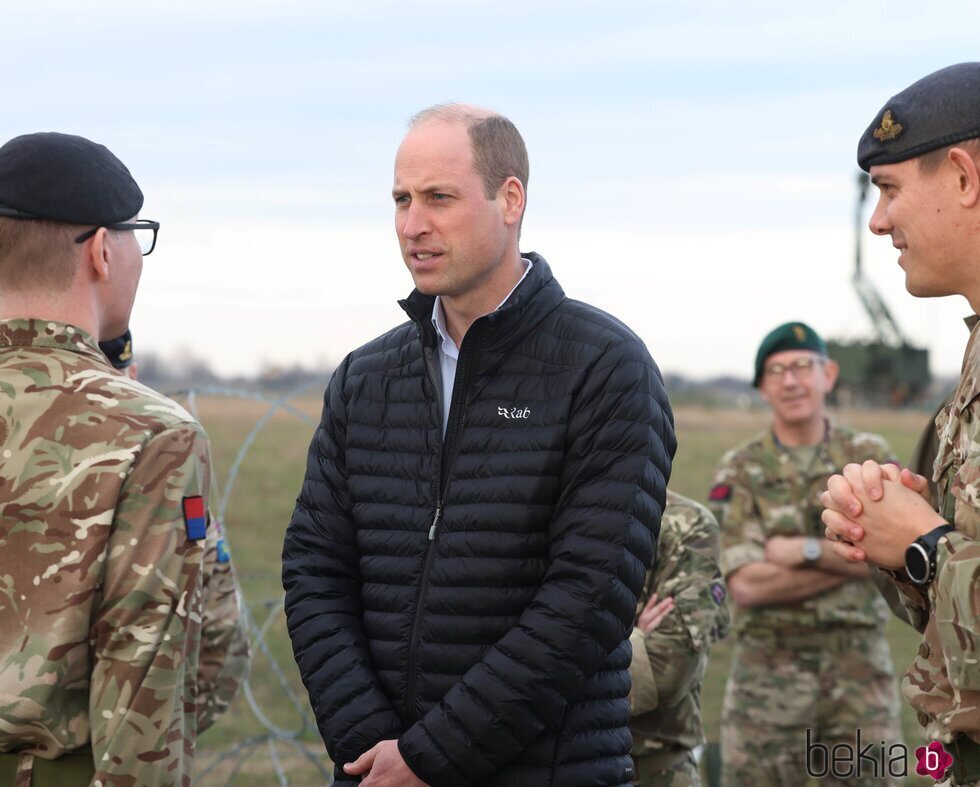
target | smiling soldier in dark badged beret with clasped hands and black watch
x=923, y=152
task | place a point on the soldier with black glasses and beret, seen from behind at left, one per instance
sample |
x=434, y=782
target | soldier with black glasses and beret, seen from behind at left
x=120, y=635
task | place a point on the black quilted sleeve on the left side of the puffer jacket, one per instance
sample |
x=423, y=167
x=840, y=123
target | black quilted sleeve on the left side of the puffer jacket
x=323, y=612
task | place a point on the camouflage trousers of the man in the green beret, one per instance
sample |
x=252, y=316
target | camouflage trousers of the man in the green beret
x=789, y=700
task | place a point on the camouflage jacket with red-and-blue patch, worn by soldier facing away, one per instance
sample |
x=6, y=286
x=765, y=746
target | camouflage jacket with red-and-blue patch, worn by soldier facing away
x=106, y=579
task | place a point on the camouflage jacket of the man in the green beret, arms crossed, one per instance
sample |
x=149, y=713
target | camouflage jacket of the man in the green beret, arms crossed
x=760, y=492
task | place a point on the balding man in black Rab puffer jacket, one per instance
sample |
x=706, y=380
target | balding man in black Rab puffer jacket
x=481, y=502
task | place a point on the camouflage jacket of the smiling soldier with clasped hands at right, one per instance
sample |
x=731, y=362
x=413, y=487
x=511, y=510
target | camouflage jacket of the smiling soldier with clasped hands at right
x=943, y=683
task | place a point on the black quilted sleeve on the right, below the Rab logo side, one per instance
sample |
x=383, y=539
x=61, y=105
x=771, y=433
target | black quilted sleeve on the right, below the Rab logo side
x=602, y=539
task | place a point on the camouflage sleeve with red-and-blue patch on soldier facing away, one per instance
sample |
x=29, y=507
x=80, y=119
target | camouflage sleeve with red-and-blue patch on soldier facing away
x=146, y=625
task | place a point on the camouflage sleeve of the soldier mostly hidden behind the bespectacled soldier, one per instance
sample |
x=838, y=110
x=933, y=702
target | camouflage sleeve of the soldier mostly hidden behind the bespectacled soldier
x=224, y=637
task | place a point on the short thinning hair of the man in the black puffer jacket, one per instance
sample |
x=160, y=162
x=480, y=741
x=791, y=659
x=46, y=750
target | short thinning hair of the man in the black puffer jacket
x=499, y=151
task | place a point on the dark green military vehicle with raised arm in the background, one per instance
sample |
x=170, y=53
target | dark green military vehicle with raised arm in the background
x=885, y=370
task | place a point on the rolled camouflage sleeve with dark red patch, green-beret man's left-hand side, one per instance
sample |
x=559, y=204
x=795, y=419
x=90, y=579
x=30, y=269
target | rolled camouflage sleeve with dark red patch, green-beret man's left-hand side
x=743, y=538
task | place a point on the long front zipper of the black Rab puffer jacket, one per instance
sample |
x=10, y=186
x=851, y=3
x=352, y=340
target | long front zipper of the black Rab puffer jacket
x=454, y=429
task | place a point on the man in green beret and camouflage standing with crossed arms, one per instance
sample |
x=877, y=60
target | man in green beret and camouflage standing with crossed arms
x=811, y=663
